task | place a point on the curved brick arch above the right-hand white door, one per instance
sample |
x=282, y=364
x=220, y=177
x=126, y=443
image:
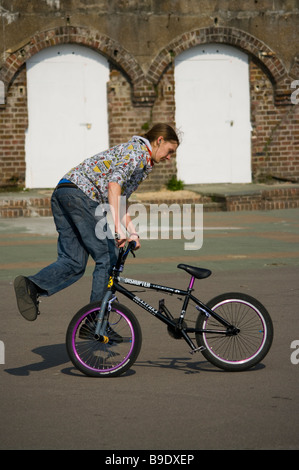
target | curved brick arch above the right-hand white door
x=252, y=46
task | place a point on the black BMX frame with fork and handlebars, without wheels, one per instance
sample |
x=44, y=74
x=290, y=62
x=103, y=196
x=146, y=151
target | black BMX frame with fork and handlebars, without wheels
x=163, y=313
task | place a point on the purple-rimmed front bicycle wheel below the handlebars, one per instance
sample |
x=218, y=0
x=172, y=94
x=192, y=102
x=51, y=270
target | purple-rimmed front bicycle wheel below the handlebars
x=99, y=359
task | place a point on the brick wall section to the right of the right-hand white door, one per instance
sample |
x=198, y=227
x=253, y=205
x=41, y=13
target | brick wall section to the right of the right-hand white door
x=275, y=135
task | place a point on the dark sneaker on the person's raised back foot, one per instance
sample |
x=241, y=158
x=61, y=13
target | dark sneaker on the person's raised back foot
x=26, y=294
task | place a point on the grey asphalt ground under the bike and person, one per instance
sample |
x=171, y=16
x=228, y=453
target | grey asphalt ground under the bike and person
x=169, y=400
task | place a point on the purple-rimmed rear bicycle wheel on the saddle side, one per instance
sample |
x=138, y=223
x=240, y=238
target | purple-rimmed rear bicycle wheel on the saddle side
x=247, y=348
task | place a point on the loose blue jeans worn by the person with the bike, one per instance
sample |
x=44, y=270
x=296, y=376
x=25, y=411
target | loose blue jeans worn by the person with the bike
x=75, y=220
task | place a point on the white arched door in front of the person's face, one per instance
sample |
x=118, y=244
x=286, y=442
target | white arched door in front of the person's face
x=213, y=113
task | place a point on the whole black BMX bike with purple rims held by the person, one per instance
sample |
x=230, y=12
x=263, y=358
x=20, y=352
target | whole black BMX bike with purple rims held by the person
x=233, y=331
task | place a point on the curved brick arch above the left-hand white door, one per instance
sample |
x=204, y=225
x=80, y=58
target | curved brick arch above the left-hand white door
x=112, y=50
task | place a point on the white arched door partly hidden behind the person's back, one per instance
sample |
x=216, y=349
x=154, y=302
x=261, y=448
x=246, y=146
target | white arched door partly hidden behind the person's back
x=67, y=111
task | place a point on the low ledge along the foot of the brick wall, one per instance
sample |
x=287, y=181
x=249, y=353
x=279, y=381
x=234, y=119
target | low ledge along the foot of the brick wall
x=215, y=198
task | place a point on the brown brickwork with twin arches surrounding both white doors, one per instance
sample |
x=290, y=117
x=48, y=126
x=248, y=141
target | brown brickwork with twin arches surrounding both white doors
x=136, y=101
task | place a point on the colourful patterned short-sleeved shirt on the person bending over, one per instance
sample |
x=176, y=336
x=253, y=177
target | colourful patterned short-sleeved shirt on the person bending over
x=127, y=164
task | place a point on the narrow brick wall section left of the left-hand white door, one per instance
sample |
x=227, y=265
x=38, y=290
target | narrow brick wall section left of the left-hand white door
x=13, y=124
